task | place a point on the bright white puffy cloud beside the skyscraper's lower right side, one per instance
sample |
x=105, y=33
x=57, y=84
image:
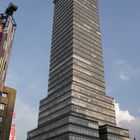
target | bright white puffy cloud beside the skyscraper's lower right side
x=126, y=120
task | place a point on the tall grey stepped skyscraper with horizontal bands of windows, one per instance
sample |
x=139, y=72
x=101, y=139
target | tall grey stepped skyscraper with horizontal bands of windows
x=77, y=107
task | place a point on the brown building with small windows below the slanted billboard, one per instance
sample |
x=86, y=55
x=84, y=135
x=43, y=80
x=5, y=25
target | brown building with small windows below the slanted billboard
x=7, y=102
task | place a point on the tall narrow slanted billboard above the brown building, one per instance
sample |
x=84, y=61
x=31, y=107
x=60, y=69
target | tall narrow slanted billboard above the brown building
x=6, y=39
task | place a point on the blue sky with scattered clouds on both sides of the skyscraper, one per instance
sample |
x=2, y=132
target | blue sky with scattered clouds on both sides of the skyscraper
x=29, y=64
